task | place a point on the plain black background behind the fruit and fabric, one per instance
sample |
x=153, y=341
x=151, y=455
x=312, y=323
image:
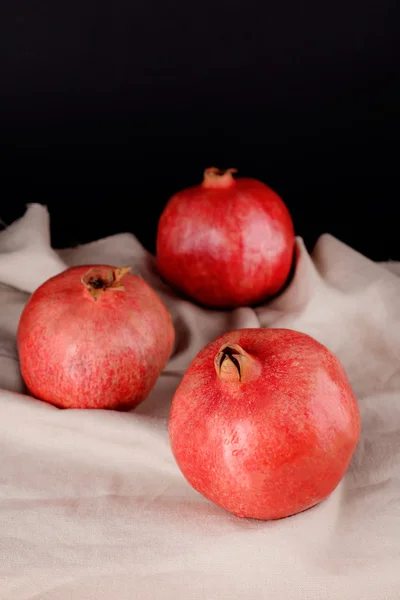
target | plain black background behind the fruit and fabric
x=109, y=108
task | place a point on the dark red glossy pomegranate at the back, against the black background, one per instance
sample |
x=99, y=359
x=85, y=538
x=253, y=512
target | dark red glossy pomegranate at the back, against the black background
x=227, y=242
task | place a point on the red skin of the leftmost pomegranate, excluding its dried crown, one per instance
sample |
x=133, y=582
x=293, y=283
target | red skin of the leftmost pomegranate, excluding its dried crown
x=78, y=353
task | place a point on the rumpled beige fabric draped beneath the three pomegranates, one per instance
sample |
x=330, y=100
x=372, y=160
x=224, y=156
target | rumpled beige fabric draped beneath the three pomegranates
x=92, y=504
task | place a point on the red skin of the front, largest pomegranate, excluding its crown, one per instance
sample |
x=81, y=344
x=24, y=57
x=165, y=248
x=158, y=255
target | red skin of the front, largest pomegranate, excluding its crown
x=276, y=445
